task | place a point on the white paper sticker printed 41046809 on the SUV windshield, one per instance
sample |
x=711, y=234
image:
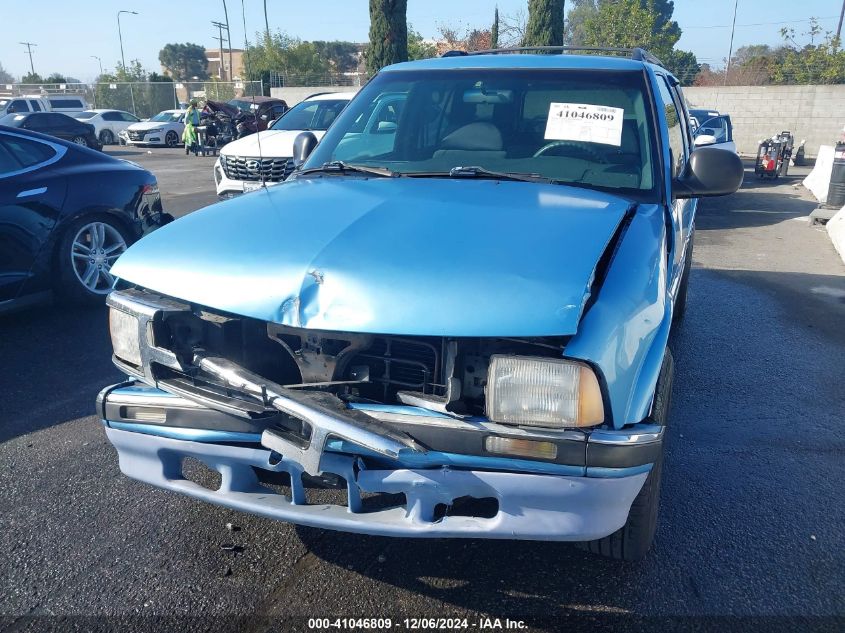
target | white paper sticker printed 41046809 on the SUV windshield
x=585, y=122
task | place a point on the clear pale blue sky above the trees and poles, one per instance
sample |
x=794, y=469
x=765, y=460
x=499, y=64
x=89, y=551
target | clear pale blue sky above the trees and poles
x=68, y=33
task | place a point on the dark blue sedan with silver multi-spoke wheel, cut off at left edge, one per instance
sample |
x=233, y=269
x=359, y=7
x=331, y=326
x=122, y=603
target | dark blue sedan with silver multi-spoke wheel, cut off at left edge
x=66, y=214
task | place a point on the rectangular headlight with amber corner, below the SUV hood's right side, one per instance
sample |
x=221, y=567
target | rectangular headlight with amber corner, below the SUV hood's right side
x=549, y=392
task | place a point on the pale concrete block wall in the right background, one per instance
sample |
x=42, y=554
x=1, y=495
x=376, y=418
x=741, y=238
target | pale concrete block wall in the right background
x=814, y=113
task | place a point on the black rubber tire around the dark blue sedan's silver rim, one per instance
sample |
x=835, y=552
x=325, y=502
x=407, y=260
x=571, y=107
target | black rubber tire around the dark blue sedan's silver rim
x=68, y=286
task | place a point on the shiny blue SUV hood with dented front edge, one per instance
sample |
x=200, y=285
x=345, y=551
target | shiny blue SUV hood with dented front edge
x=445, y=257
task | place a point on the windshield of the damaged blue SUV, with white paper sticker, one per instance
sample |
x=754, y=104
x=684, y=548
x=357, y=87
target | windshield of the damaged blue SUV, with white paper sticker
x=588, y=128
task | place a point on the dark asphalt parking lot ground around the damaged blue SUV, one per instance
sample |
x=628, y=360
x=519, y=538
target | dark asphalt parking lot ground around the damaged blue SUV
x=751, y=532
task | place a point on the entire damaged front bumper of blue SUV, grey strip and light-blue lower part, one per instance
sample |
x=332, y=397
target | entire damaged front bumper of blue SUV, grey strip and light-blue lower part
x=583, y=494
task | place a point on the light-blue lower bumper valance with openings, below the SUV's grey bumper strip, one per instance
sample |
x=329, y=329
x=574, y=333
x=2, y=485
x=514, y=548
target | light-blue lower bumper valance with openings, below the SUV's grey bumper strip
x=531, y=507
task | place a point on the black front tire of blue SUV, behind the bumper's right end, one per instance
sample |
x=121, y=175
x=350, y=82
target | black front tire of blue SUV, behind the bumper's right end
x=633, y=540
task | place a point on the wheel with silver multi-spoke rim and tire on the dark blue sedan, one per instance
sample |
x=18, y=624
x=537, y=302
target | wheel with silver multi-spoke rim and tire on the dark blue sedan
x=85, y=256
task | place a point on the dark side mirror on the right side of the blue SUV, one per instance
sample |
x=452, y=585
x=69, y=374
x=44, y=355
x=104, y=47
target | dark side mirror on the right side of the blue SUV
x=709, y=172
